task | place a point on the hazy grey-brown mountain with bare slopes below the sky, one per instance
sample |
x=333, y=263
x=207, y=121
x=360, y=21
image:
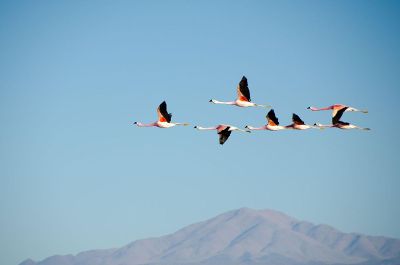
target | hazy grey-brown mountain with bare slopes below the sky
x=245, y=237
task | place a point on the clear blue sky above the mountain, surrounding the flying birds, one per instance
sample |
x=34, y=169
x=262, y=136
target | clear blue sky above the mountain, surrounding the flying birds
x=75, y=174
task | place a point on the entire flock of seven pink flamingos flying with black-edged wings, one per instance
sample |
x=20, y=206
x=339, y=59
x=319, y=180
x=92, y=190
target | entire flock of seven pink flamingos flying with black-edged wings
x=243, y=100
